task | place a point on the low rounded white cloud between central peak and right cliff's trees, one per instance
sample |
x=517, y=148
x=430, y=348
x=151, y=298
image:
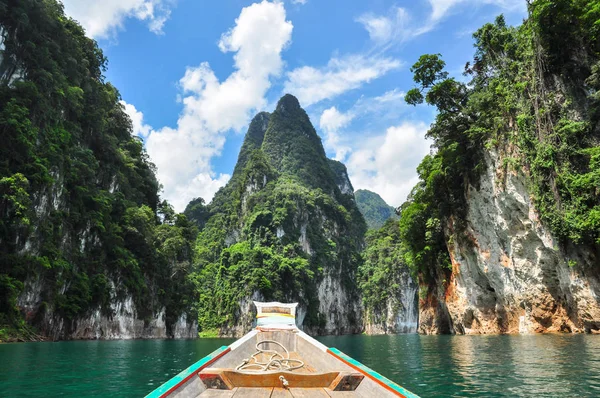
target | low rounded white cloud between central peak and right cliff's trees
x=387, y=164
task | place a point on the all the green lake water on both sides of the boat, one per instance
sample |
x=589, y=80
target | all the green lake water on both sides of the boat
x=430, y=366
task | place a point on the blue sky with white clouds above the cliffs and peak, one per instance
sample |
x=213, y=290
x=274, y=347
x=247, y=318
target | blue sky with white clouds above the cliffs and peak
x=193, y=73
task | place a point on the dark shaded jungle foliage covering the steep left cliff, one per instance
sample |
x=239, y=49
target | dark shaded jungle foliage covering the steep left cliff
x=80, y=214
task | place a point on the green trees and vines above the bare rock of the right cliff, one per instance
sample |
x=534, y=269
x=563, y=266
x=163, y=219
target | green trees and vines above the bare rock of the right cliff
x=533, y=98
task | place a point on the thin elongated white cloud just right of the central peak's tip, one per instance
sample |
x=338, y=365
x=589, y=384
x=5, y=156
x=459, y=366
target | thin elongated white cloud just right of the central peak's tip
x=311, y=85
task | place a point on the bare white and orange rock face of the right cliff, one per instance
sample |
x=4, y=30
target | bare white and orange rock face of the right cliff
x=509, y=275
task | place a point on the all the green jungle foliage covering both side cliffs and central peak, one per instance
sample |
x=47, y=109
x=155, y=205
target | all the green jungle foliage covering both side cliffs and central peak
x=82, y=223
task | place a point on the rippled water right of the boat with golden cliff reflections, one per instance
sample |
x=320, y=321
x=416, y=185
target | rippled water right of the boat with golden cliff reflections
x=483, y=366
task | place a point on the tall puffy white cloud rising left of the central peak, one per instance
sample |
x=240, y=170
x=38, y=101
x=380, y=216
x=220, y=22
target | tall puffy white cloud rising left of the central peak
x=211, y=108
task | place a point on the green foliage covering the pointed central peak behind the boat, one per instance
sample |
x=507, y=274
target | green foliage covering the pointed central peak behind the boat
x=278, y=226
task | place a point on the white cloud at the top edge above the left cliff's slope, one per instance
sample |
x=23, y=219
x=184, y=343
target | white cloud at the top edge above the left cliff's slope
x=102, y=19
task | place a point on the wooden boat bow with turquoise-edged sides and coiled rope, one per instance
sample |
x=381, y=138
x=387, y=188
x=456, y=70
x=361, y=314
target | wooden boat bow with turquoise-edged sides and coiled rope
x=278, y=360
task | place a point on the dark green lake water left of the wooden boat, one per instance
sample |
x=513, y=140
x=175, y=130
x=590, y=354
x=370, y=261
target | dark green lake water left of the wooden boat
x=125, y=368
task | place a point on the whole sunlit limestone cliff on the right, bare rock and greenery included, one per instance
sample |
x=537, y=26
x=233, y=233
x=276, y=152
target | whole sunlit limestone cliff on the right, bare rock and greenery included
x=503, y=227
